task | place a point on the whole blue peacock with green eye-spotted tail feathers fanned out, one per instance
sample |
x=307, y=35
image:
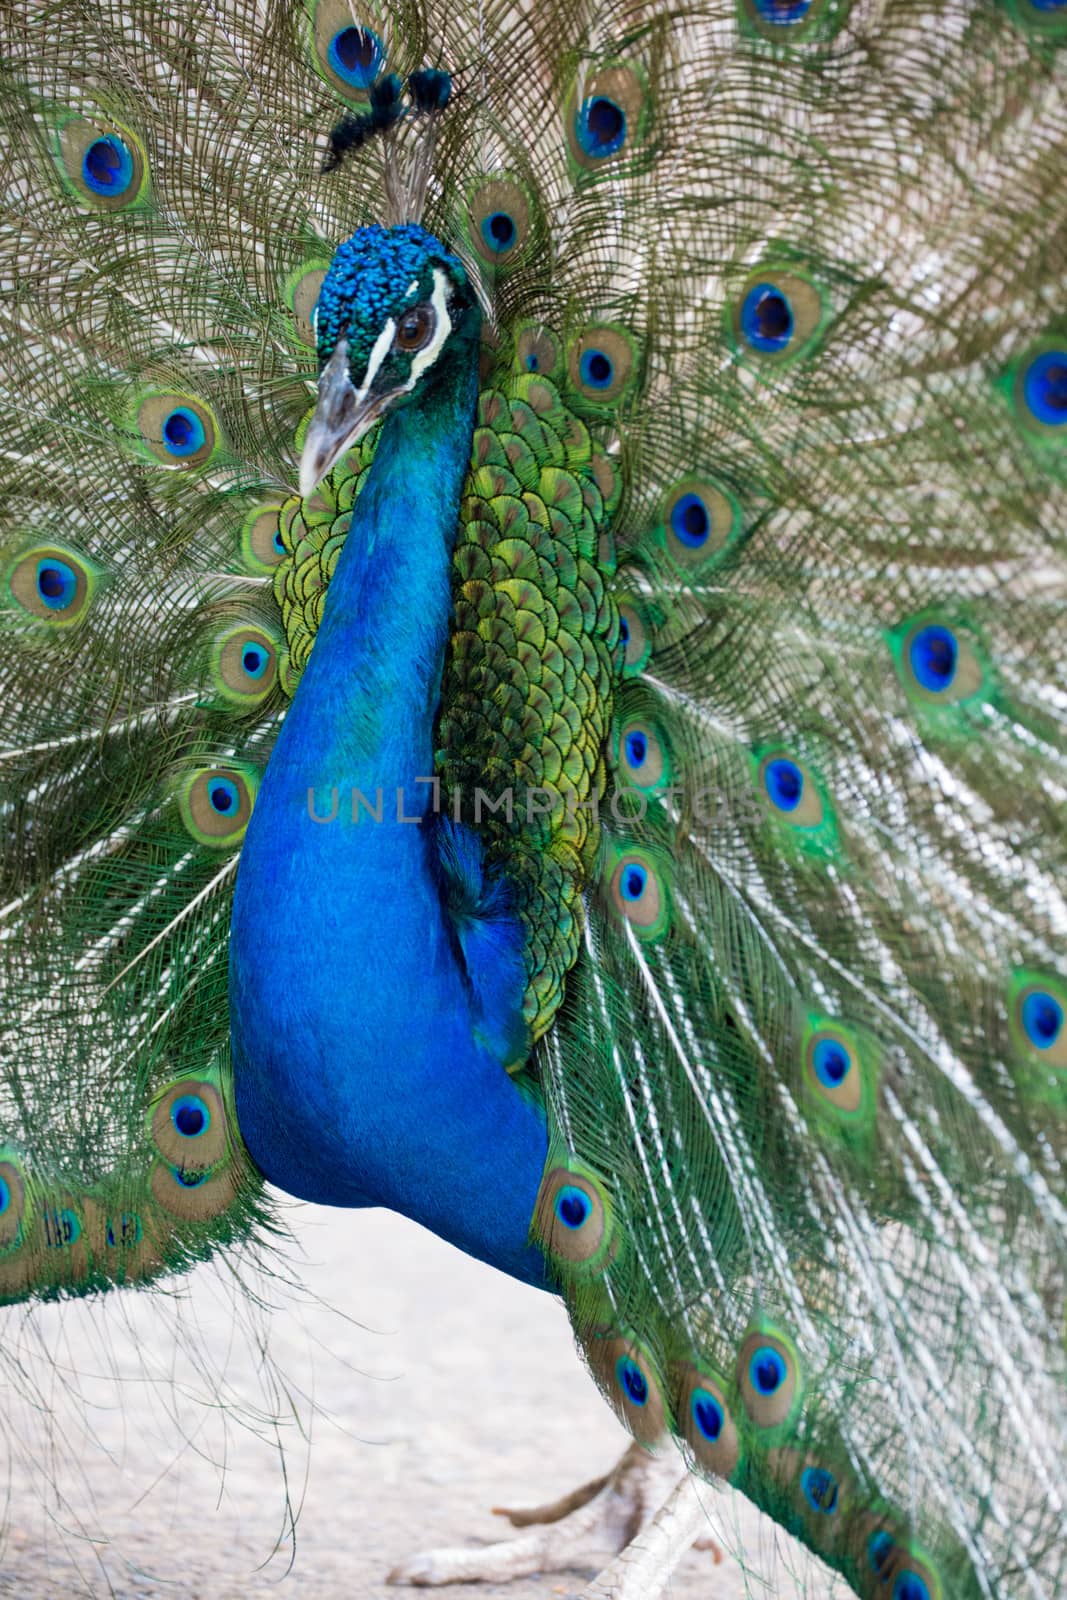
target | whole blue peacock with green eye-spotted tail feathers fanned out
x=533, y=586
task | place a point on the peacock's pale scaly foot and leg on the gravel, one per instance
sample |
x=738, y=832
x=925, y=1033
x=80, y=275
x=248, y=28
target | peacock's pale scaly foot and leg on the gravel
x=642, y=1513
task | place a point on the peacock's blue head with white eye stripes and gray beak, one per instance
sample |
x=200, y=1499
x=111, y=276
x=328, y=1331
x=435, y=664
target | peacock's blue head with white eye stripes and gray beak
x=393, y=303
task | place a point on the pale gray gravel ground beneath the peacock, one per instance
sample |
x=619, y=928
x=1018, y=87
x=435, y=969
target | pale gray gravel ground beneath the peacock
x=441, y=1388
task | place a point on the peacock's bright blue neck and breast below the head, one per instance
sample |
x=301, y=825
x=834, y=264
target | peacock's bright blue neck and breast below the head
x=361, y=1074
